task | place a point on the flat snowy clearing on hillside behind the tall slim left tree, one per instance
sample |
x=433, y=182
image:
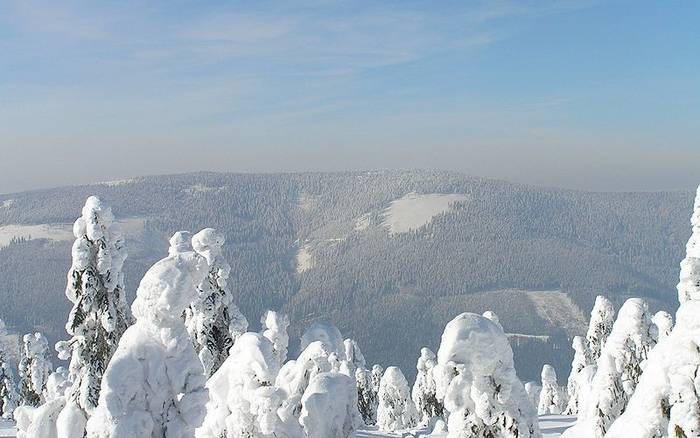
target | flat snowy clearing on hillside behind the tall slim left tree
x=59, y=232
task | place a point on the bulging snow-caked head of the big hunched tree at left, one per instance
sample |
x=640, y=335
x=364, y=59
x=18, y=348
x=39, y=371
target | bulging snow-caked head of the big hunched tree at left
x=167, y=288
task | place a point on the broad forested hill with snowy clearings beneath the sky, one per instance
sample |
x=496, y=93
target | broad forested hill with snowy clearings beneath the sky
x=388, y=256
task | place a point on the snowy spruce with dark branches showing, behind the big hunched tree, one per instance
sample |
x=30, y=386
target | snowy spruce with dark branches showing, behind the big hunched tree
x=212, y=320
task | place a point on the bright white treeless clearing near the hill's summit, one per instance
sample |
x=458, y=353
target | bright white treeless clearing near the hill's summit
x=414, y=211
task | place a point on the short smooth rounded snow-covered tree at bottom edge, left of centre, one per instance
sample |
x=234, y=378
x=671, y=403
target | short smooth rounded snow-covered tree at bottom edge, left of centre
x=329, y=407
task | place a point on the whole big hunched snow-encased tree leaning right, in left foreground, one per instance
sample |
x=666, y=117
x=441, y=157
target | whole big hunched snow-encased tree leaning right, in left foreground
x=154, y=386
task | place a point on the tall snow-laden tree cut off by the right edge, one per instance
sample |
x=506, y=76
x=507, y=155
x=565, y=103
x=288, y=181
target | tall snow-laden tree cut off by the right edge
x=666, y=401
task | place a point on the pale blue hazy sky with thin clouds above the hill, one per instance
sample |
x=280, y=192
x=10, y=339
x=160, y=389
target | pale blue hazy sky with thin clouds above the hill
x=596, y=95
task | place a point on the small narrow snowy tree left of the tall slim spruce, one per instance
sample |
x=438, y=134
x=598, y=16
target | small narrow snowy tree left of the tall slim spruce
x=34, y=369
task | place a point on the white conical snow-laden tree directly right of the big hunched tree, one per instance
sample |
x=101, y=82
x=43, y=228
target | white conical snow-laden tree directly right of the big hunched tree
x=242, y=399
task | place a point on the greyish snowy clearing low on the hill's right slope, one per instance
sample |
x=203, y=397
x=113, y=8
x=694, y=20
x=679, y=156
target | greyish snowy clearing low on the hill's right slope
x=556, y=307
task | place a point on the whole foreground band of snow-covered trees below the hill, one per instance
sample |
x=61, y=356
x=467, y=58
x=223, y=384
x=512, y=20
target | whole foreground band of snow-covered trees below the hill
x=181, y=361
